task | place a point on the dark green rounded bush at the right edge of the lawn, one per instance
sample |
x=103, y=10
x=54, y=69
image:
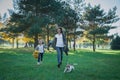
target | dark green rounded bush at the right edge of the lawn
x=115, y=44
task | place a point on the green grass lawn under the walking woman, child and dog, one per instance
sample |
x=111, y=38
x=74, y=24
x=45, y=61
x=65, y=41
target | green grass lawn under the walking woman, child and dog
x=19, y=64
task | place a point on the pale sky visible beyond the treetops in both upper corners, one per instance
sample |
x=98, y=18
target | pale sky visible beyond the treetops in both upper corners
x=105, y=4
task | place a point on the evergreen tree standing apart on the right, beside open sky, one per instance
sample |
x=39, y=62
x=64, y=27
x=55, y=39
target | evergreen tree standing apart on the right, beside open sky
x=97, y=22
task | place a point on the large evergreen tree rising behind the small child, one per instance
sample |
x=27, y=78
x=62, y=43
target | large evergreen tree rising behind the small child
x=30, y=16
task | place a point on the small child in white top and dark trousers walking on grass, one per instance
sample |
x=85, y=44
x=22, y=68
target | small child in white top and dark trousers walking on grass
x=40, y=48
